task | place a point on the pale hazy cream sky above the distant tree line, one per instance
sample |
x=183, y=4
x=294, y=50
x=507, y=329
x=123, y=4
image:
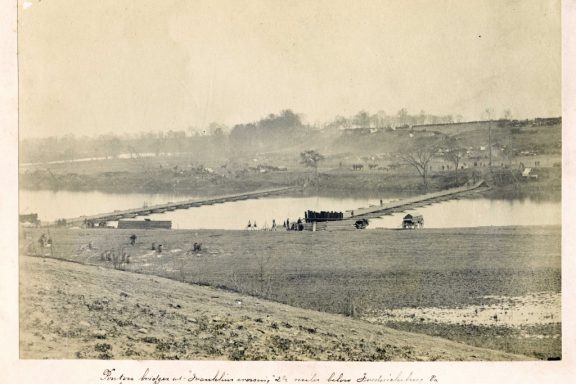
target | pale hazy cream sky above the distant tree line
x=127, y=66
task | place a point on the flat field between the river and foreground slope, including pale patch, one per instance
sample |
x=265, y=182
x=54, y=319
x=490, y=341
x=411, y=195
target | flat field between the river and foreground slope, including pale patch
x=495, y=287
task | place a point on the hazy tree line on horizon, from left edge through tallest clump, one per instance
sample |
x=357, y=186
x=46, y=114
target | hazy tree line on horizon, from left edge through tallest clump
x=270, y=133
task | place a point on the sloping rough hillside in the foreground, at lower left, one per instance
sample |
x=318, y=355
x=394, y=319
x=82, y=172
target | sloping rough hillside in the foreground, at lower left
x=69, y=310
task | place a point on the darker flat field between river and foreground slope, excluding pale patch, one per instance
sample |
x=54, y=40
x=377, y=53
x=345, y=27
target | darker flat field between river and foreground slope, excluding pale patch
x=322, y=270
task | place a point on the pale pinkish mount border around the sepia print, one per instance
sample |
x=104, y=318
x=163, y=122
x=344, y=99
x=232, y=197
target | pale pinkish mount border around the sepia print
x=19, y=371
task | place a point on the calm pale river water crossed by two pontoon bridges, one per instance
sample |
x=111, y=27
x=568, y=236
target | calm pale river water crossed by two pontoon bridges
x=51, y=206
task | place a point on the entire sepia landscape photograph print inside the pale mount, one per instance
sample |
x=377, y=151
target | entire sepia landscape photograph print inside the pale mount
x=335, y=181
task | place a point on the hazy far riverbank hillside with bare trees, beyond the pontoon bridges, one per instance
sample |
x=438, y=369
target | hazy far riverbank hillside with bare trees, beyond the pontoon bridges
x=268, y=154
